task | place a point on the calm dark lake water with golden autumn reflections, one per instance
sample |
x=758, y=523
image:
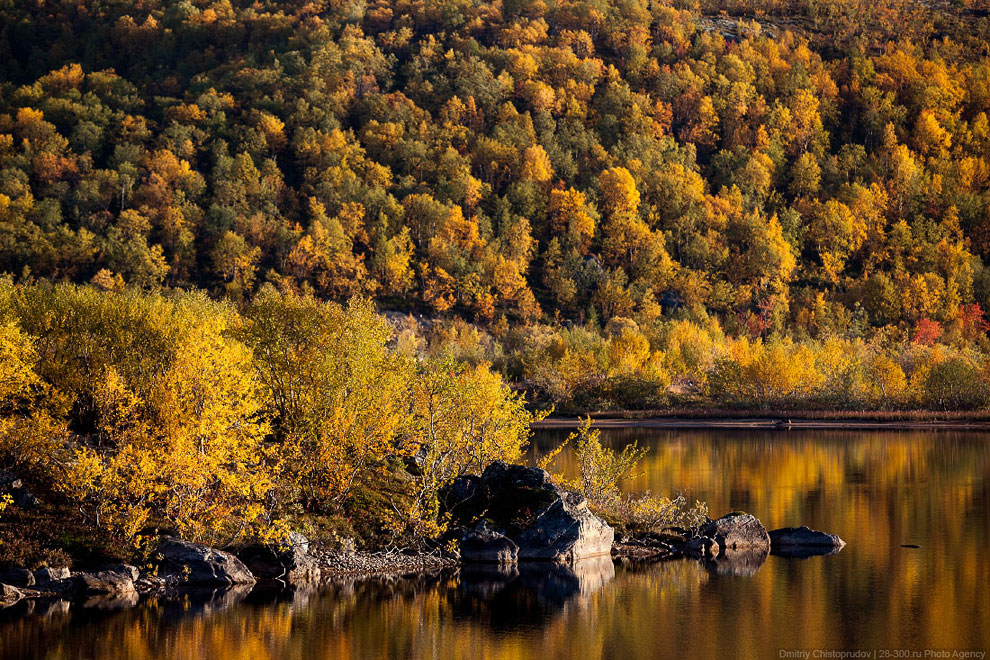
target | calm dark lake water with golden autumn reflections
x=877, y=490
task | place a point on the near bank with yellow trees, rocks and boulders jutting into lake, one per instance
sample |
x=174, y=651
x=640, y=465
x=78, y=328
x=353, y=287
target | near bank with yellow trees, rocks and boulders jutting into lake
x=156, y=442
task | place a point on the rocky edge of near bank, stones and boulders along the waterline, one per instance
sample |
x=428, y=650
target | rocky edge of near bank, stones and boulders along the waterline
x=509, y=516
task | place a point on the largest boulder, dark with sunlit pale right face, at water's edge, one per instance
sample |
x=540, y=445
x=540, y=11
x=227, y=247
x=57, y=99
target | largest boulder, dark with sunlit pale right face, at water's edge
x=525, y=517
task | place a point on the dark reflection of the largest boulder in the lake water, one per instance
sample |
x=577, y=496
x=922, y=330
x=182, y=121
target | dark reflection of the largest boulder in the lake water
x=527, y=593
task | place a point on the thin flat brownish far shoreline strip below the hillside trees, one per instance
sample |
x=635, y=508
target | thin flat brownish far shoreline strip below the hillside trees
x=734, y=419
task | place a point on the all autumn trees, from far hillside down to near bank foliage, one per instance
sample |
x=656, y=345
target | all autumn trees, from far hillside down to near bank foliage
x=325, y=237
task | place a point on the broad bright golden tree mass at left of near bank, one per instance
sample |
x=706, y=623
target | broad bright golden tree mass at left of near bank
x=172, y=432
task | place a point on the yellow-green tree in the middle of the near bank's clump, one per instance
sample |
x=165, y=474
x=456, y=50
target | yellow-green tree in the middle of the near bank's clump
x=337, y=392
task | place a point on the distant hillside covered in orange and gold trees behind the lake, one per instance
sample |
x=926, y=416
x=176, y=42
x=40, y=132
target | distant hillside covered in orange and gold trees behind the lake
x=625, y=198
